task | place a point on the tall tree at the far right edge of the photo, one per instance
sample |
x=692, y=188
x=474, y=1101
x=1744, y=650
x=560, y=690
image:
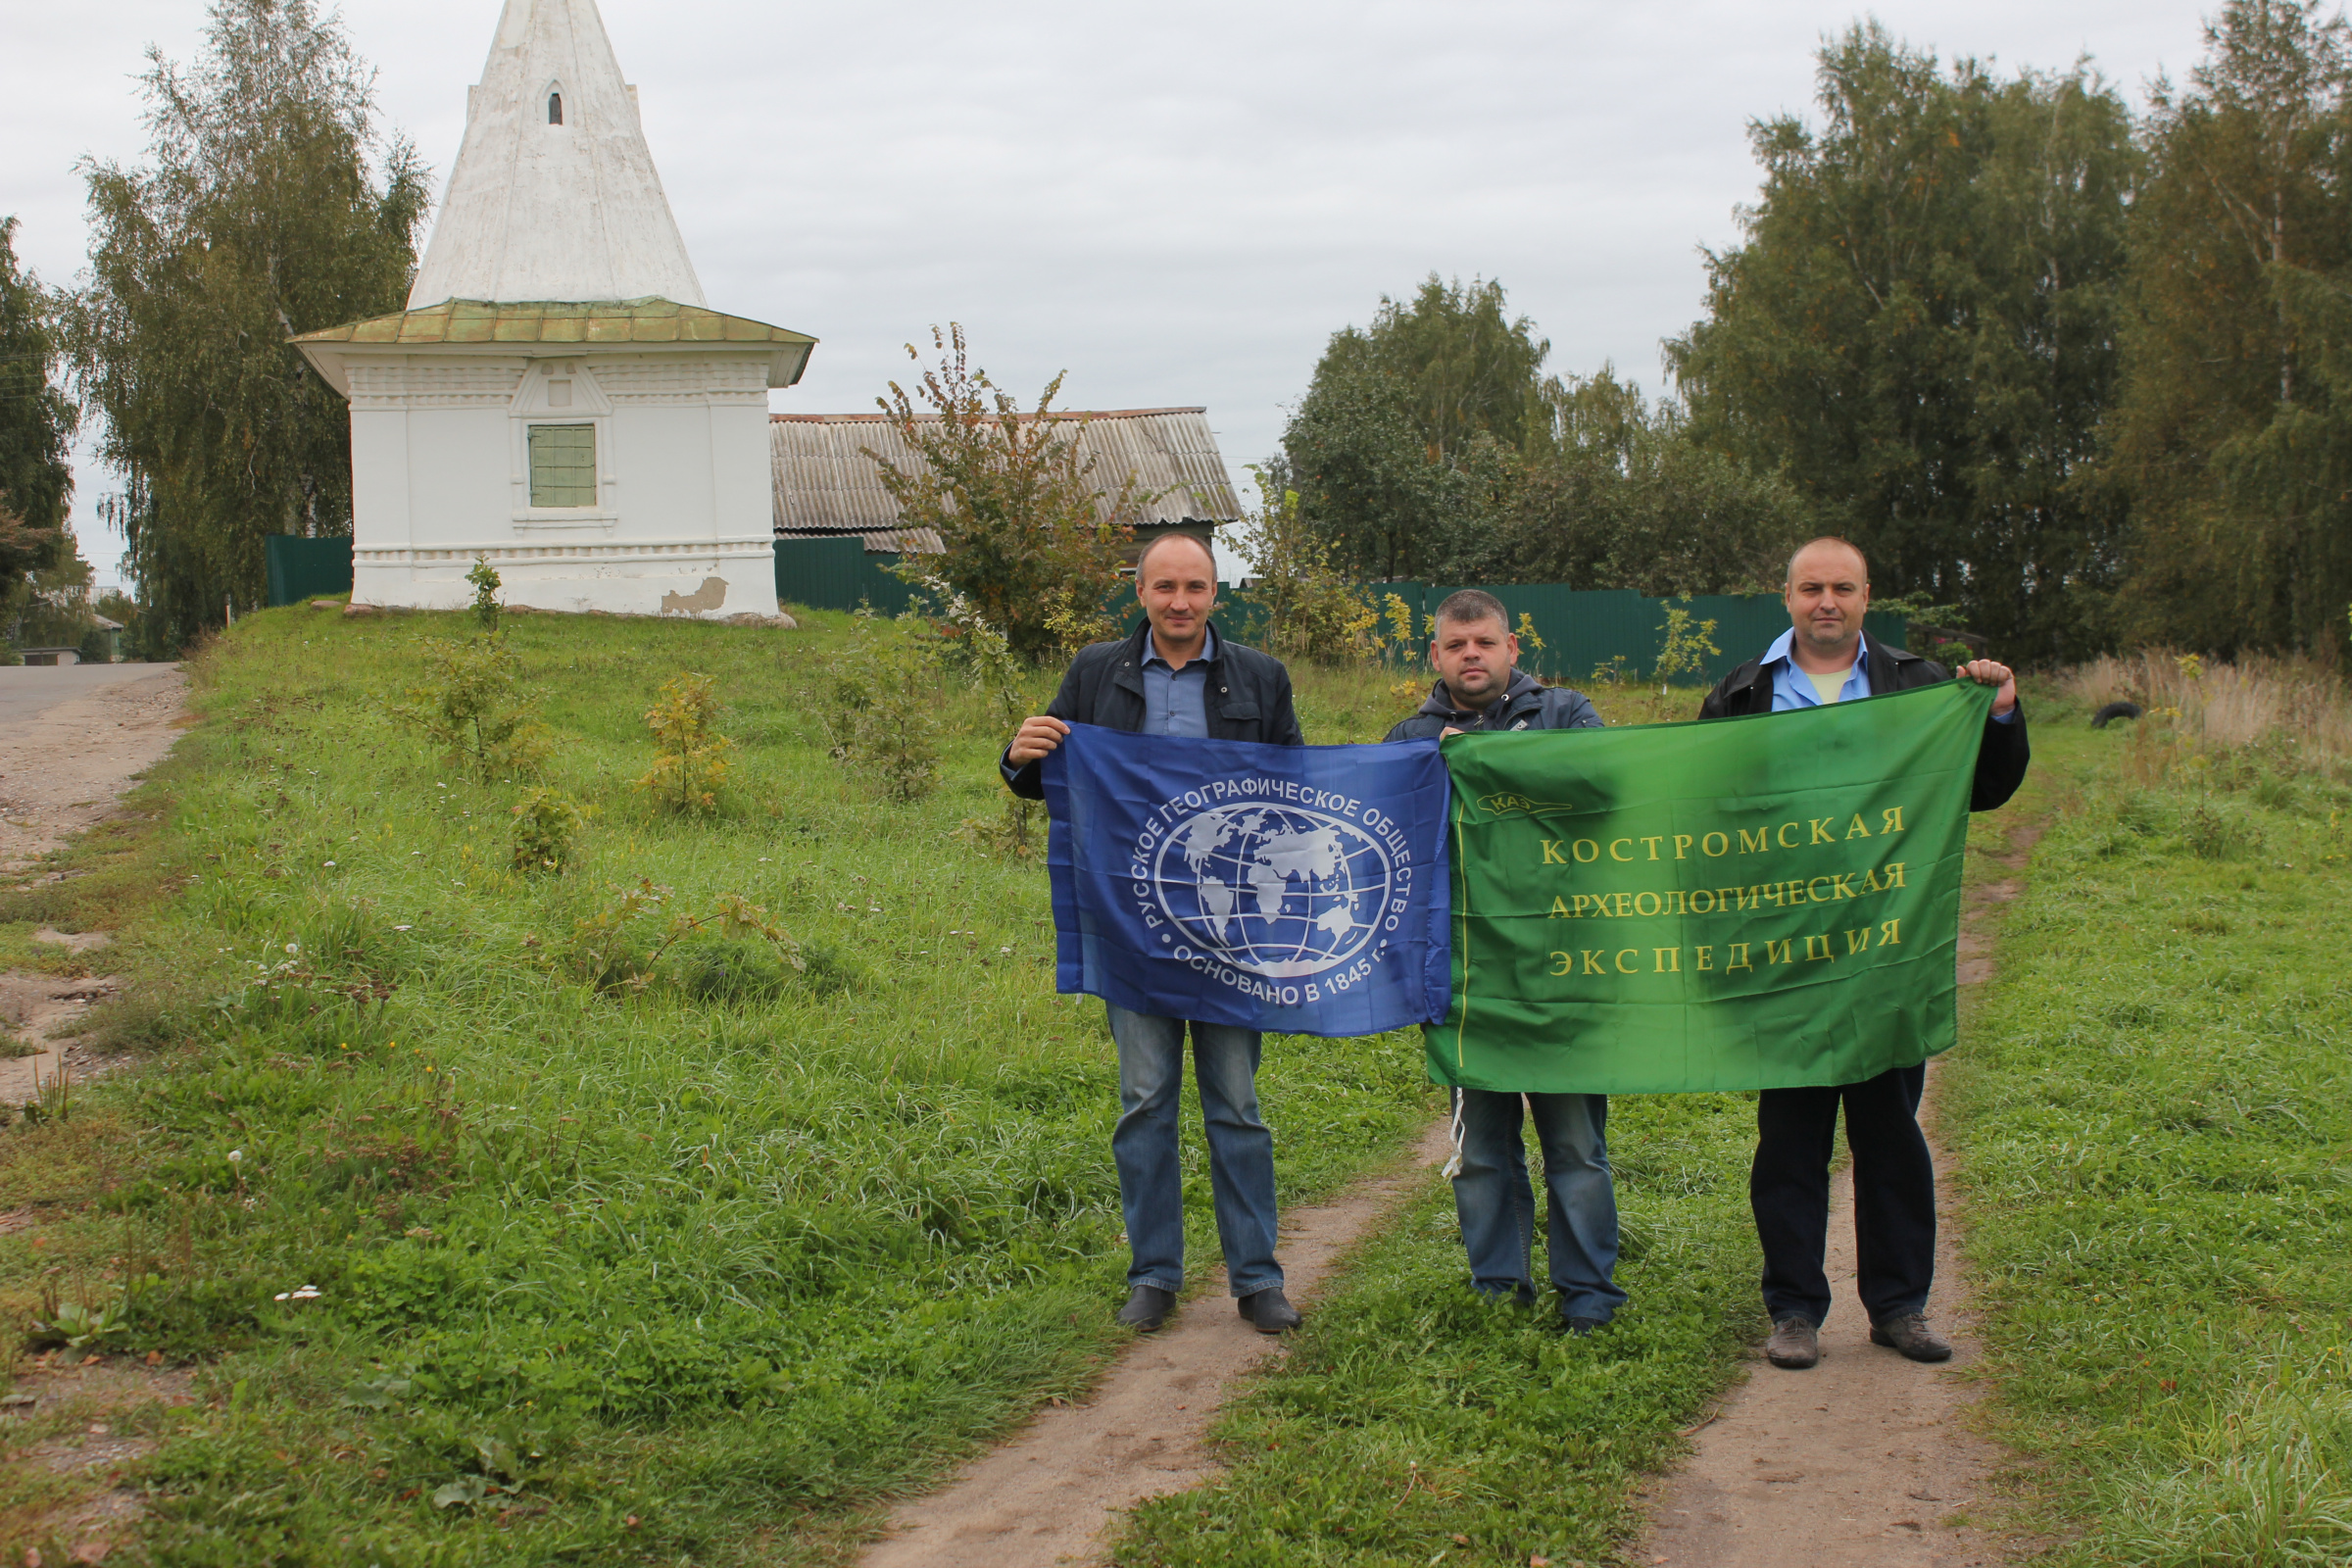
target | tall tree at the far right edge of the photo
x=2233, y=431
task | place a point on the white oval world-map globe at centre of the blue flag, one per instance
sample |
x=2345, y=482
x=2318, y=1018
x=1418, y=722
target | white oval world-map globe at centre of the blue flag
x=1274, y=890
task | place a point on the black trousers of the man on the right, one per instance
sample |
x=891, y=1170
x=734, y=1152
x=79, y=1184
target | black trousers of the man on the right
x=1895, y=1195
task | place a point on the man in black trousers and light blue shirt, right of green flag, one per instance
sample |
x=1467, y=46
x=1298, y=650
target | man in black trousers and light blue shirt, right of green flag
x=1826, y=659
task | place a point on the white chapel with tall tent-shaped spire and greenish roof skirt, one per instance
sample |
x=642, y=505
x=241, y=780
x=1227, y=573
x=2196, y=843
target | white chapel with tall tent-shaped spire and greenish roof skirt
x=556, y=396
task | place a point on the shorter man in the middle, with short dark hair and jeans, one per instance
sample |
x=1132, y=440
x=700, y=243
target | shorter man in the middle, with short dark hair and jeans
x=1481, y=688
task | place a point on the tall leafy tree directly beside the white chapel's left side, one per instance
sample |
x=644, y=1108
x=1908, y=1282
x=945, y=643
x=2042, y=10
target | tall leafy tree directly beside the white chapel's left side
x=269, y=206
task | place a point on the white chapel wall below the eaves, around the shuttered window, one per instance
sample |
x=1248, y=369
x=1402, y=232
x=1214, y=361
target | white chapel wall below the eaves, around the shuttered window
x=441, y=474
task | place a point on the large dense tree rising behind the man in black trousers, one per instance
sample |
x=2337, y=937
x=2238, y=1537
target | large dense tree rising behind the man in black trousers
x=1920, y=330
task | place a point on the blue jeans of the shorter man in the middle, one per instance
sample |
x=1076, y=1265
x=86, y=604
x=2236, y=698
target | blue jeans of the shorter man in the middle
x=1497, y=1205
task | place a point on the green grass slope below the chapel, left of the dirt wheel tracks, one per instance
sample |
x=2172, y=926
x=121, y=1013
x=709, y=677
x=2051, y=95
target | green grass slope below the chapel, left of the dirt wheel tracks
x=683, y=1280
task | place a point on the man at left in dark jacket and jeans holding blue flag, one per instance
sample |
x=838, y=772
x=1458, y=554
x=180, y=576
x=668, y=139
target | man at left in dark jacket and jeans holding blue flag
x=1180, y=678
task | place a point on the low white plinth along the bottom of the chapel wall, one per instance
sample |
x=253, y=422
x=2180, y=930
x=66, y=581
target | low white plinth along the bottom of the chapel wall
x=707, y=582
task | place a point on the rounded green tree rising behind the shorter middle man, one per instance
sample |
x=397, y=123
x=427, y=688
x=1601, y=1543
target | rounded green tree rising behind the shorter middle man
x=1401, y=443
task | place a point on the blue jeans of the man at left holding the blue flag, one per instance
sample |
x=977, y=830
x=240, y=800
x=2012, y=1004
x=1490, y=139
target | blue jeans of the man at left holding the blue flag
x=1241, y=1148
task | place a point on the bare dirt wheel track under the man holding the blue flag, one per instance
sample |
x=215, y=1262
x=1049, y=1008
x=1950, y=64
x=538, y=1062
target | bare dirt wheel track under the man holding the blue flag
x=1048, y=1496
